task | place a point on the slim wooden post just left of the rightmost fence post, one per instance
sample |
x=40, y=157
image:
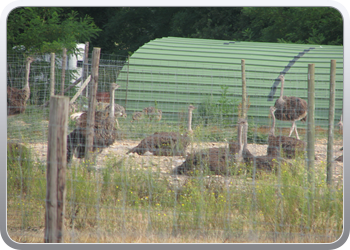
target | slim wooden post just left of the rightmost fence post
x=311, y=125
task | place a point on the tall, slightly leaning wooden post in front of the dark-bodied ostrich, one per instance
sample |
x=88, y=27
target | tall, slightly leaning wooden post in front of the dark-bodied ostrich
x=92, y=102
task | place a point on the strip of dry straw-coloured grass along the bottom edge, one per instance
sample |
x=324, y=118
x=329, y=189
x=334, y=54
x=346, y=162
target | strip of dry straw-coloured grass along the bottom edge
x=97, y=236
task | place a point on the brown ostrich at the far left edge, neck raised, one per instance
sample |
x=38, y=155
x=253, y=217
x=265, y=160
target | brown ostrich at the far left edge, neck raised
x=17, y=98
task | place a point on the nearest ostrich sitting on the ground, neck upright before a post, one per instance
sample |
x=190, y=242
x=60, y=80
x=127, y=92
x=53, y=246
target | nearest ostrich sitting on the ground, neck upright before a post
x=216, y=159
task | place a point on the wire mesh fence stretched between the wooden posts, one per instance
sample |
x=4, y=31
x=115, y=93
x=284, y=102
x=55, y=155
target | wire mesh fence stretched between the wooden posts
x=123, y=196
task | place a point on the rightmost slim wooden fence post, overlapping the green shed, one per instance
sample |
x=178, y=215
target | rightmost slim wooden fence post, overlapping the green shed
x=331, y=123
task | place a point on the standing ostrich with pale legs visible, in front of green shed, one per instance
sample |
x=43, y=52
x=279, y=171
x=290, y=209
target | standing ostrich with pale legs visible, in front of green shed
x=290, y=108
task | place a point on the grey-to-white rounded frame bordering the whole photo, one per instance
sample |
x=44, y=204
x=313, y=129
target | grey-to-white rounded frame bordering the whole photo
x=192, y=3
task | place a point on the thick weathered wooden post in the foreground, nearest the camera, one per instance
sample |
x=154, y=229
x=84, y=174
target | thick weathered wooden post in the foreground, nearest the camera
x=56, y=169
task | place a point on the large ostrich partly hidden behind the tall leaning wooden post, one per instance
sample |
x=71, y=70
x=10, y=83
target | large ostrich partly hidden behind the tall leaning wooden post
x=104, y=130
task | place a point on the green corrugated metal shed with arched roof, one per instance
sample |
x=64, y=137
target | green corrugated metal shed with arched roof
x=176, y=72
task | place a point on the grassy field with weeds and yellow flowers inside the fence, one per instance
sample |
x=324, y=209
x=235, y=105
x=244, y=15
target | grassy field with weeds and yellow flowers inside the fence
x=128, y=202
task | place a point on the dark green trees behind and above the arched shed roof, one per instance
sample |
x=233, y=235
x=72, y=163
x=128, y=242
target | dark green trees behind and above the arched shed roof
x=126, y=29
